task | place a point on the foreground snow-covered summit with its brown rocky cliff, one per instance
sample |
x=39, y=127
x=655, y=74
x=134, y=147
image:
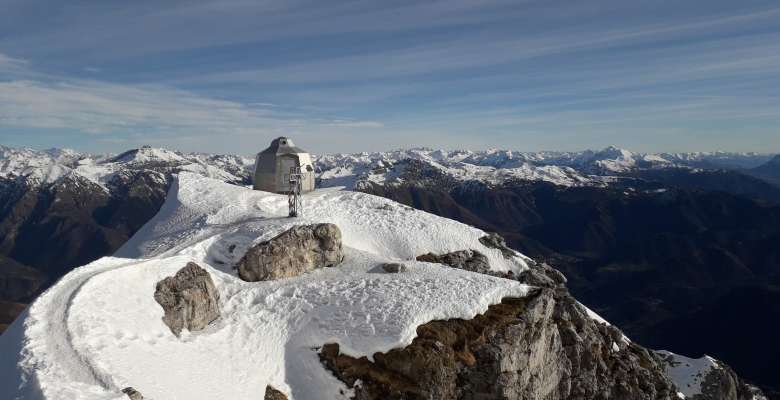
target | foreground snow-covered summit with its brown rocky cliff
x=99, y=329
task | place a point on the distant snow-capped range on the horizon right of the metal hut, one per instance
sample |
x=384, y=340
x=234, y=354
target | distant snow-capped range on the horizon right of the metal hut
x=585, y=168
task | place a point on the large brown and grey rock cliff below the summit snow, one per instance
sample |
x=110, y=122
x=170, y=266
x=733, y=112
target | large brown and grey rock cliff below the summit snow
x=543, y=346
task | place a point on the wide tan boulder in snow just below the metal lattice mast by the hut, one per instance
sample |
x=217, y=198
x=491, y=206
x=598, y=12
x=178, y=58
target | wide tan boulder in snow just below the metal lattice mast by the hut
x=294, y=252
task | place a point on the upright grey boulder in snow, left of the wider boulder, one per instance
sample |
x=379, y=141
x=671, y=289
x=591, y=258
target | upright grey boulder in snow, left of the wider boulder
x=189, y=298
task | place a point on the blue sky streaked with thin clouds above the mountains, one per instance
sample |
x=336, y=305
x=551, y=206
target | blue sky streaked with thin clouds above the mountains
x=227, y=76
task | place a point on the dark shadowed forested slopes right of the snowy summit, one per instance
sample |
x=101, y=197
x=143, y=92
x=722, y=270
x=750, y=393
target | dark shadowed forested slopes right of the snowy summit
x=651, y=262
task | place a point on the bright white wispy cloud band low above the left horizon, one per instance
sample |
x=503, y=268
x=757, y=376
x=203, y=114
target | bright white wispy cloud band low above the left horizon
x=117, y=113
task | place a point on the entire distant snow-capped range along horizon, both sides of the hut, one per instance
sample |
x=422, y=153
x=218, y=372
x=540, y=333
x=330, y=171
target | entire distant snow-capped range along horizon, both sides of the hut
x=584, y=168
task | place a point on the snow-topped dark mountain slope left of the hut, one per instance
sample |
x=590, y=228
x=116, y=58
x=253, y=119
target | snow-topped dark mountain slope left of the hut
x=60, y=209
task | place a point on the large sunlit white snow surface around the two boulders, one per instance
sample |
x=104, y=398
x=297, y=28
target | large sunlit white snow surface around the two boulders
x=99, y=329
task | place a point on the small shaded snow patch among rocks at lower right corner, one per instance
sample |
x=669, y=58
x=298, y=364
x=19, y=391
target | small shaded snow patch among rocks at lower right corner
x=688, y=373
